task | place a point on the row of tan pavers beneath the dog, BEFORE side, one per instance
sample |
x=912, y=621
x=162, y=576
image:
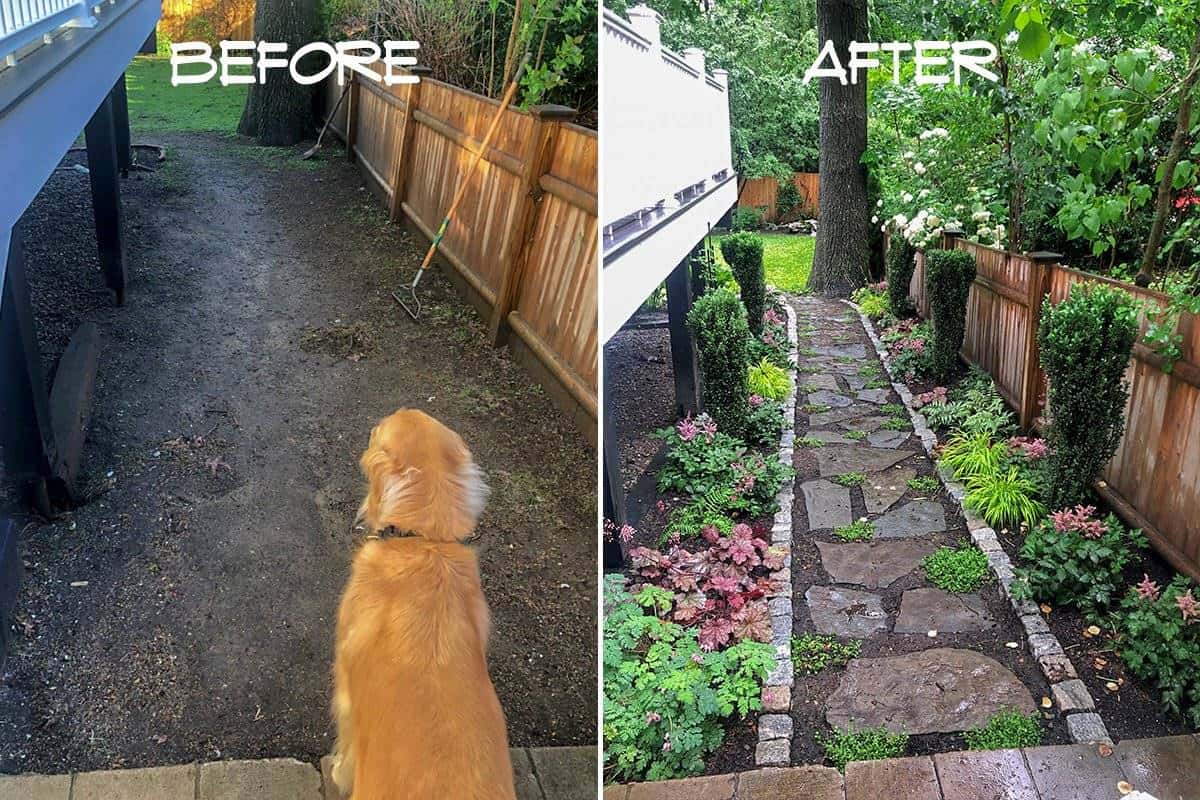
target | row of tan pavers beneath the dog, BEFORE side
x=539, y=774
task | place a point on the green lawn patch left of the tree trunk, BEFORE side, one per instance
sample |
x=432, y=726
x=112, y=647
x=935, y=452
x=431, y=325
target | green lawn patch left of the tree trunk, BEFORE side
x=158, y=106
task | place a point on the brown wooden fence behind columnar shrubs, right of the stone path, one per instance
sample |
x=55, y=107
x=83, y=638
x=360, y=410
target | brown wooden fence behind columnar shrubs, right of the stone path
x=1154, y=480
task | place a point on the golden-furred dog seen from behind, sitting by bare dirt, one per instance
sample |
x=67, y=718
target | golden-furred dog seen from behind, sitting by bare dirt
x=417, y=715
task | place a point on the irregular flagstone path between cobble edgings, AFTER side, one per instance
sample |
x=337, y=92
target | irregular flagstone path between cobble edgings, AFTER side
x=932, y=663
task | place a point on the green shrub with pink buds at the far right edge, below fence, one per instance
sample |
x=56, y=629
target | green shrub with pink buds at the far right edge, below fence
x=1160, y=641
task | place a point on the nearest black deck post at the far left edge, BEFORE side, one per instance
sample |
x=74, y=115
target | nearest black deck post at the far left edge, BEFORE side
x=26, y=432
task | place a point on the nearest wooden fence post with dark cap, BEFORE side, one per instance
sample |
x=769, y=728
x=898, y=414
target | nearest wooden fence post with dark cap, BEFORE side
x=548, y=121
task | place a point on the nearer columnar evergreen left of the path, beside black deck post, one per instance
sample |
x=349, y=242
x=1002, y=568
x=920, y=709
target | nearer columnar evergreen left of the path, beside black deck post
x=719, y=322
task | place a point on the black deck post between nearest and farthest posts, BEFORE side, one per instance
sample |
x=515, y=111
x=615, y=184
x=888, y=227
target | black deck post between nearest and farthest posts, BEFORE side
x=106, y=195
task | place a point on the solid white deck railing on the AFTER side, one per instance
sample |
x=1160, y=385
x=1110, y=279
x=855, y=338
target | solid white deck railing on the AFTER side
x=665, y=125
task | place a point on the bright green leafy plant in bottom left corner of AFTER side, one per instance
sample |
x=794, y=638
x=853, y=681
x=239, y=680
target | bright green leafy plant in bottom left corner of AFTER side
x=665, y=700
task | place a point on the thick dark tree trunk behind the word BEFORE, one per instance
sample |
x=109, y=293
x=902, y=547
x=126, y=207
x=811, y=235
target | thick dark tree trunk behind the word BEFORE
x=279, y=113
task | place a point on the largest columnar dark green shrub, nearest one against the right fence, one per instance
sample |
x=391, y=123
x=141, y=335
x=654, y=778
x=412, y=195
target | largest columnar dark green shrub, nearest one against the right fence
x=1085, y=344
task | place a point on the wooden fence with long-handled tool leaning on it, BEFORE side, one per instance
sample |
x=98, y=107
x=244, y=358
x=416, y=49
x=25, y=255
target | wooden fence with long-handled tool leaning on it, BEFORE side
x=524, y=242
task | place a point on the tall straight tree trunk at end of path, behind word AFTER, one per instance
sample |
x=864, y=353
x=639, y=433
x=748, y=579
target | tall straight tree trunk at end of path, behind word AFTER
x=842, y=256
